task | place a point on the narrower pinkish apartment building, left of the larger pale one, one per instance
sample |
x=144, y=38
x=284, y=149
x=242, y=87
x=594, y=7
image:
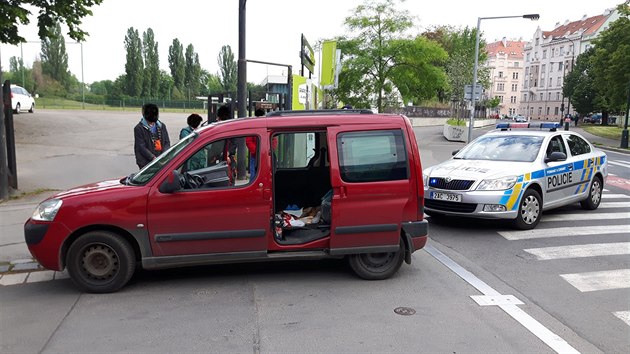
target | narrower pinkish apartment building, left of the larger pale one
x=505, y=61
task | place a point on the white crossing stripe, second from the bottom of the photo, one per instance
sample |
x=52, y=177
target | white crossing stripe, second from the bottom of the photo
x=595, y=281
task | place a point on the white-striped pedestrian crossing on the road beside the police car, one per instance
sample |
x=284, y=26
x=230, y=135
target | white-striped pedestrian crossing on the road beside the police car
x=612, y=218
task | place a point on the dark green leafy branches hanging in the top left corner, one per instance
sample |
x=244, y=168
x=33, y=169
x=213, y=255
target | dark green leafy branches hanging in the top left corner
x=15, y=12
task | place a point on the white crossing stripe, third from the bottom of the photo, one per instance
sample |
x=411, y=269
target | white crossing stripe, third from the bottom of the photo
x=580, y=251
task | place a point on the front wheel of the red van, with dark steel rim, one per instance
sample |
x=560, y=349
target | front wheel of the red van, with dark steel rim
x=100, y=262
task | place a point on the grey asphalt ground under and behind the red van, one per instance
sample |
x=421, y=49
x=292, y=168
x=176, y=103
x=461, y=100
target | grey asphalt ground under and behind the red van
x=317, y=306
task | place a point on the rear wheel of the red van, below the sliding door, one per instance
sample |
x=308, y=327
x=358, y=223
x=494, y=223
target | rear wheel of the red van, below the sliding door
x=377, y=266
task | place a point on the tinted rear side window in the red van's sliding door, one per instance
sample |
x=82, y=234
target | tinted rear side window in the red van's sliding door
x=372, y=156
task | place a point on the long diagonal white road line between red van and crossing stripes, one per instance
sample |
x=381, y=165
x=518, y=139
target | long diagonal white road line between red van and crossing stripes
x=554, y=341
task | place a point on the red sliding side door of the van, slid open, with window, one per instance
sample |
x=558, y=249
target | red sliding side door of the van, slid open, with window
x=371, y=186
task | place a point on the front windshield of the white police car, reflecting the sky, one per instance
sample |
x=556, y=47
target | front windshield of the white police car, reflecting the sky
x=520, y=148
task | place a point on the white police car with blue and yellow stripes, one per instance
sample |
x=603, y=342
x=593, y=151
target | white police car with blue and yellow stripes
x=516, y=172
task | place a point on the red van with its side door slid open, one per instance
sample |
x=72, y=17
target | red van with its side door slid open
x=323, y=184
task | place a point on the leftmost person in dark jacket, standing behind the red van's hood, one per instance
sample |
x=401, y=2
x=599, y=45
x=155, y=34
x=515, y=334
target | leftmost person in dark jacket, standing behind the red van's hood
x=150, y=136
